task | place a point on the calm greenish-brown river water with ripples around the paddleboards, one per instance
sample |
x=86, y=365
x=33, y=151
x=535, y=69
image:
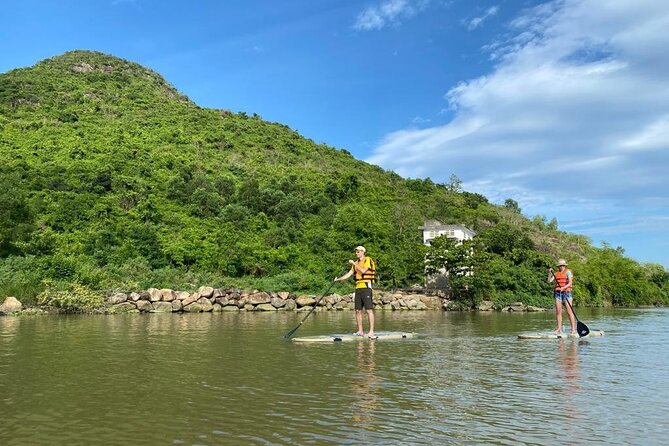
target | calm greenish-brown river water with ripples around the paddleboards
x=231, y=379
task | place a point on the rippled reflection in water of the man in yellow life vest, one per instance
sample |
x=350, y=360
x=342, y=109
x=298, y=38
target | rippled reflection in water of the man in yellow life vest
x=365, y=385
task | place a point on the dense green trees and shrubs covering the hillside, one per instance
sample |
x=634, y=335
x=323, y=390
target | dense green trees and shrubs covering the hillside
x=111, y=179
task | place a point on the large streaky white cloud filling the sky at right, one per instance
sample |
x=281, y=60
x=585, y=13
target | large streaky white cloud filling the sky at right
x=575, y=114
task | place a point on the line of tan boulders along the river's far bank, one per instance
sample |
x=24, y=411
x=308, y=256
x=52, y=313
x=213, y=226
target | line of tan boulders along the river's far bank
x=209, y=299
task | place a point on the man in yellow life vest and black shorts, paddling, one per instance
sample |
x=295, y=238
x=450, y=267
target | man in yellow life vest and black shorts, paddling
x=364, y=270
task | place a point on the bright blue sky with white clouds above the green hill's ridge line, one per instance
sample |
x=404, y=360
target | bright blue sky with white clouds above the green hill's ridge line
x=561, y=105
